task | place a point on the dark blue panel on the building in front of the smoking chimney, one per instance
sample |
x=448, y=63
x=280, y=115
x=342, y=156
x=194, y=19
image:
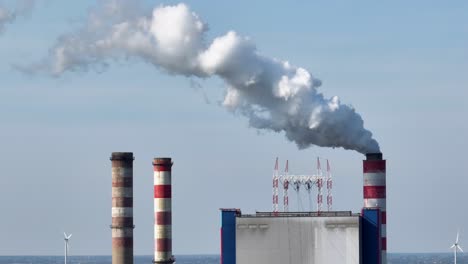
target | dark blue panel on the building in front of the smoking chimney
x=370, y=236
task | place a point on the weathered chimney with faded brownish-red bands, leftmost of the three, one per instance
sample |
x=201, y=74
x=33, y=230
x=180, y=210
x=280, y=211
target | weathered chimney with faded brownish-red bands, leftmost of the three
x=122, y=207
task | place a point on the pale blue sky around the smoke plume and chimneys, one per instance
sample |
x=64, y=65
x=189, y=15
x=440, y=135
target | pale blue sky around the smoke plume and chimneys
x=402, y=65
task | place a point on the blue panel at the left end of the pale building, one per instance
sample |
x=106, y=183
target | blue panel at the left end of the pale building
x=228, y=235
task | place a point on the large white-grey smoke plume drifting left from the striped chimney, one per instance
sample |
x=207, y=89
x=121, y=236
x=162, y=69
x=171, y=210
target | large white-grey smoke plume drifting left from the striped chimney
x=273, y=94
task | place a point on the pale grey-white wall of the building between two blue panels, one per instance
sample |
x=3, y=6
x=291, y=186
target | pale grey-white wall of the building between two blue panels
x=297, y=240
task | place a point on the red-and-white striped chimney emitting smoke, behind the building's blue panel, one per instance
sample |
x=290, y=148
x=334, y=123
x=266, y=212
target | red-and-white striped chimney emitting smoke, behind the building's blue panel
x=375, y=194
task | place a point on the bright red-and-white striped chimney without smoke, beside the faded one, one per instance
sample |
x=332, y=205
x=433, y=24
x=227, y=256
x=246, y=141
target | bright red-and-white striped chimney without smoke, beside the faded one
x=162, y=211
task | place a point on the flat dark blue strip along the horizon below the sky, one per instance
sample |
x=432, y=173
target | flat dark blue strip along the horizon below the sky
x=433, y=258
